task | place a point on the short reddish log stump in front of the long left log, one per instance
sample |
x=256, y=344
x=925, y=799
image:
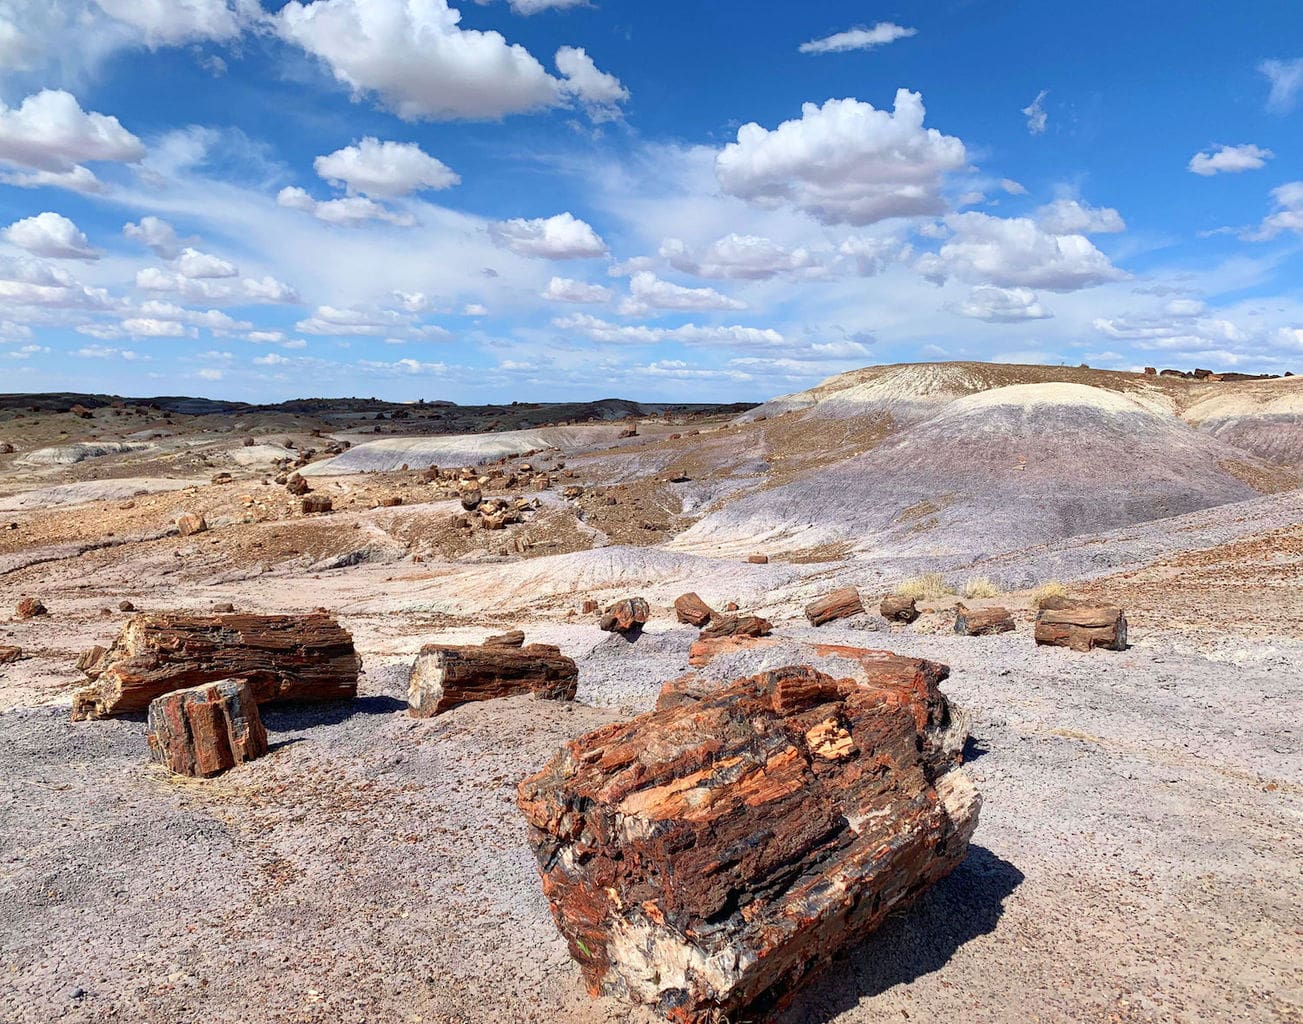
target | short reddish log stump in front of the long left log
x=205, y=730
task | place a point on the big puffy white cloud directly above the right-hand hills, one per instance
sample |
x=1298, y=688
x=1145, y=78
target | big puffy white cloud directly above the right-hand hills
x=845, y=162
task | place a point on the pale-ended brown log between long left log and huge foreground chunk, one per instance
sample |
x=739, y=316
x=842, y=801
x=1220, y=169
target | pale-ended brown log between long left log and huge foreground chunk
x=446, y=676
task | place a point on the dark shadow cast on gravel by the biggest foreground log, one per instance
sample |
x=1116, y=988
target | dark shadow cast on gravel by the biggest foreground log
x=915, y=943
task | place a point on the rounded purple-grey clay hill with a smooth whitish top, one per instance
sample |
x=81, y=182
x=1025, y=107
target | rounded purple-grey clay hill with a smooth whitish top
x=990, y=472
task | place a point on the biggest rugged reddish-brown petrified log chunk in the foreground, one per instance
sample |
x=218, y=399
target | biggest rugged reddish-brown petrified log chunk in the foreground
x=707, y=858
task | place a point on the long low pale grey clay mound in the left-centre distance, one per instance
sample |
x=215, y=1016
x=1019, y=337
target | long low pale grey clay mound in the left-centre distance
x=461, y=450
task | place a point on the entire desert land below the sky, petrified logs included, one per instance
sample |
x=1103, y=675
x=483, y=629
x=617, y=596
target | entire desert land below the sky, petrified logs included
x=1138, y=855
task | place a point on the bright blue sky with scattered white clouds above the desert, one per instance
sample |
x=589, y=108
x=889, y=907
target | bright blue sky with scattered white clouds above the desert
x=498, y=200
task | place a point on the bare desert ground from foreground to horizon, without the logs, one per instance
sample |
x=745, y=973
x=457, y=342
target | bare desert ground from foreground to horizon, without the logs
x=1139, y=855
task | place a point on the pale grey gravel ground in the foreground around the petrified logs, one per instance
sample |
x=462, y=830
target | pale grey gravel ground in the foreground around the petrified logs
x=1139, y=855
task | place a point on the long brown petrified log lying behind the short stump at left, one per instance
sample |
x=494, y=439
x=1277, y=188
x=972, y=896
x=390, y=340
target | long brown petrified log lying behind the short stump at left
x=286, y=659
